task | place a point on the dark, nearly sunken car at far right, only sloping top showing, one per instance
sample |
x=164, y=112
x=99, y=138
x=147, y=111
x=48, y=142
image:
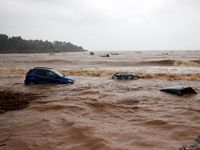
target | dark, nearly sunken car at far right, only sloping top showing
x=179, y=90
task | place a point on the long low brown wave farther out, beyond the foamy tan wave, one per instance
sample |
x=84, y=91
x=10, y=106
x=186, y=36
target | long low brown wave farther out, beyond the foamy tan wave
x=122, y=63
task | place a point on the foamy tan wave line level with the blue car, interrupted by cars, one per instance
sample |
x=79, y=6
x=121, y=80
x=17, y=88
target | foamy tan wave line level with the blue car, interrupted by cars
x=109, y=72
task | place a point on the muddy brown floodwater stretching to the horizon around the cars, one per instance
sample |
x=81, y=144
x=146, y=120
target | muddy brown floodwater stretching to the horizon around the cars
x=100, y=113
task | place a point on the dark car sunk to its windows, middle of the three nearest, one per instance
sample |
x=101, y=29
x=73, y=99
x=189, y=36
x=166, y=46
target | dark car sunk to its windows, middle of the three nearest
x=125, y=76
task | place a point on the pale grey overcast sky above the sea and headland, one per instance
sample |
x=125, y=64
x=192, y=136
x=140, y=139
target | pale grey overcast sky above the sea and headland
x=106, y=24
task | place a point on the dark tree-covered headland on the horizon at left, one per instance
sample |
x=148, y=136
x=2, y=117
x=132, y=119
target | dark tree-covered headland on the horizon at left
x=19, y=45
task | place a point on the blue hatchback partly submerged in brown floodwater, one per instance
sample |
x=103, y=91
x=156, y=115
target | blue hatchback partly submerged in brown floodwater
x=40, y=75
